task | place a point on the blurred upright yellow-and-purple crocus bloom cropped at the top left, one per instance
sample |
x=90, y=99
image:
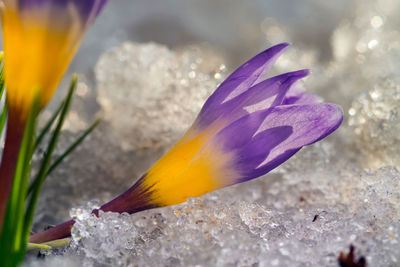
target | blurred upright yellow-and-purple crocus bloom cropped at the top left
x=40, y=39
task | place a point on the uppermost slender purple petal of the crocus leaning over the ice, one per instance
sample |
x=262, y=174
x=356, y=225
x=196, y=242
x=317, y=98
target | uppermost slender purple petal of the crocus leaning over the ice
x=243, y=78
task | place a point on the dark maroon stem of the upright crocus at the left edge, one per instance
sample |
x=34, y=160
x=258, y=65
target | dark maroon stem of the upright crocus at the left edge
x=14, y=134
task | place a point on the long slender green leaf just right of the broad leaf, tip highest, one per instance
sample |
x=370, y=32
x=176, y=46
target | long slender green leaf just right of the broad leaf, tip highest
x=38, y=182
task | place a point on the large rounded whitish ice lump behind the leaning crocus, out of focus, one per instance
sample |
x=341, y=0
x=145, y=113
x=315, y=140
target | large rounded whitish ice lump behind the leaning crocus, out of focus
x=155, y=86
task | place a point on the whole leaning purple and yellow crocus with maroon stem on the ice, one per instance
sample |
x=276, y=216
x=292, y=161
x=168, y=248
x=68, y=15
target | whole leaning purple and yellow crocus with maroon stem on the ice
x=248, y=127
